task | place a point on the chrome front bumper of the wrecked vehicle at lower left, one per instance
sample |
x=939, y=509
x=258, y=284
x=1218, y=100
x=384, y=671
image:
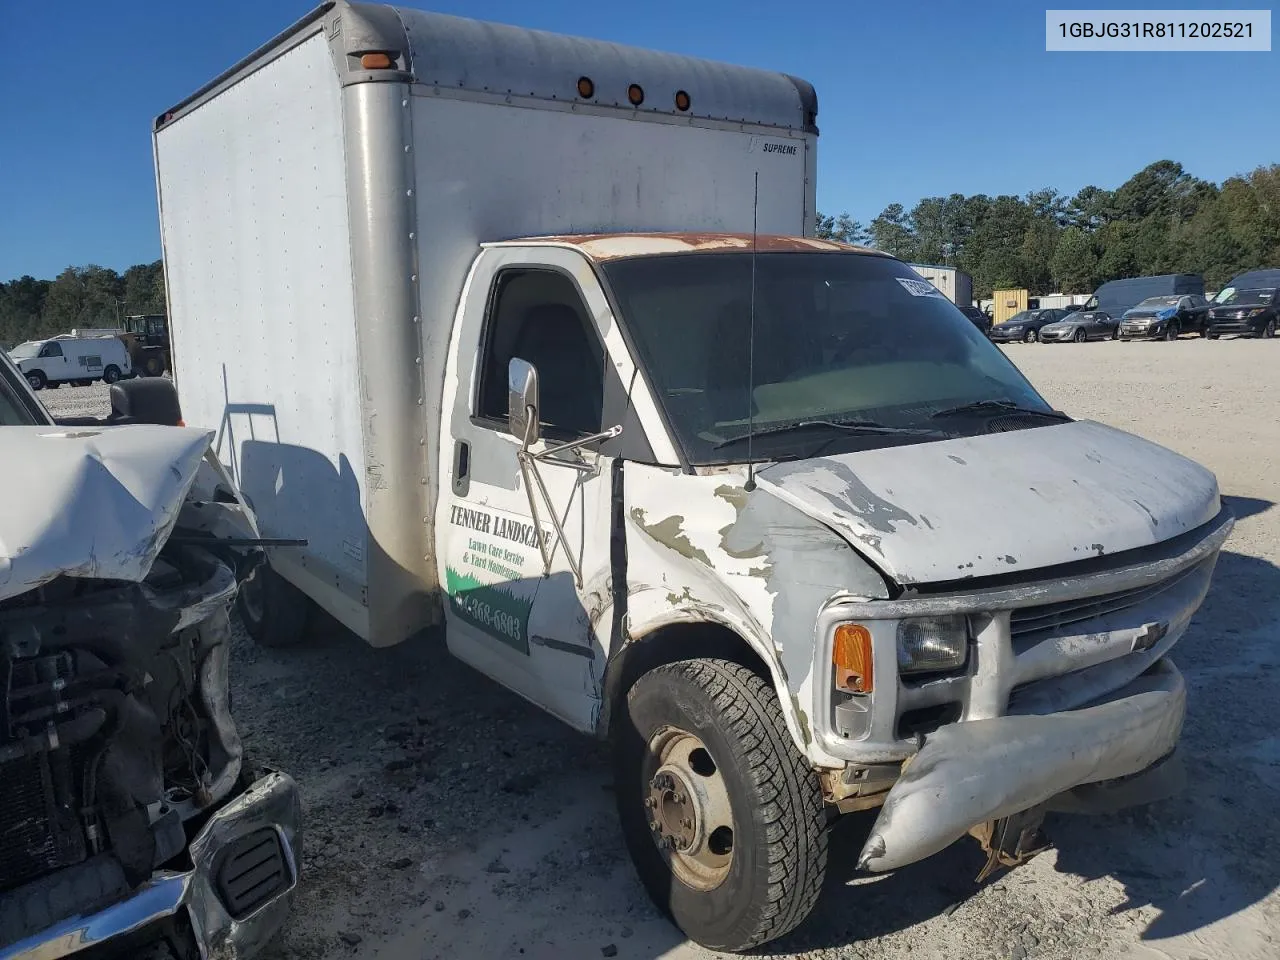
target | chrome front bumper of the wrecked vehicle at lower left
x=269, y=807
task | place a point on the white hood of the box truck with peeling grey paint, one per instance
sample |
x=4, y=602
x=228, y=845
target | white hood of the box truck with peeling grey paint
x=1000, y=504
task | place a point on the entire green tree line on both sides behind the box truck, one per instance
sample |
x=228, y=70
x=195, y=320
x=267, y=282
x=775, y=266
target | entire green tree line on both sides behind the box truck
x=1160, y=221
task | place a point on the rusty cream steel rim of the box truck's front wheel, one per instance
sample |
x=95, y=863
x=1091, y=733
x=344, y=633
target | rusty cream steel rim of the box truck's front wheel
x=688, y=808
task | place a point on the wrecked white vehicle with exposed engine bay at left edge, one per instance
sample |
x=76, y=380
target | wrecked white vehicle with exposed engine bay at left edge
x=131, y=824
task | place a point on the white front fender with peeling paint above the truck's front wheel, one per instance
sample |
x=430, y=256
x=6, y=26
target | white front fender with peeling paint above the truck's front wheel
x=706, y=550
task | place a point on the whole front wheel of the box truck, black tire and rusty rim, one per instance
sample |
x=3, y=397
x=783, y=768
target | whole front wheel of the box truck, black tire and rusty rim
x=760, y=789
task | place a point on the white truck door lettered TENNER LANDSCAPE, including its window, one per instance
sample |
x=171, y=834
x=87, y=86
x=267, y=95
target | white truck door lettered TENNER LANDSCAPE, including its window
x=525, y=565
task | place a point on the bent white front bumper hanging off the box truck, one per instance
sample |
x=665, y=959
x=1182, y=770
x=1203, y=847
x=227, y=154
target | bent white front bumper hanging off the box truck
x=971, y=774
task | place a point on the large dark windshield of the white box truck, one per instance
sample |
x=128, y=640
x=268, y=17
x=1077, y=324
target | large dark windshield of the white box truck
x=839, y=337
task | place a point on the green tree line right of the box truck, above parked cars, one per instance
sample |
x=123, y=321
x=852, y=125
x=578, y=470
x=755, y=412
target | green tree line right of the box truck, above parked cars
x=1162, y=221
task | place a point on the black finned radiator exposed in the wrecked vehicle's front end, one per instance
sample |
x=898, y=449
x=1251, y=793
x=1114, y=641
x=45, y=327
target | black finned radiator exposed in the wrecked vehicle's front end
x=38, y=835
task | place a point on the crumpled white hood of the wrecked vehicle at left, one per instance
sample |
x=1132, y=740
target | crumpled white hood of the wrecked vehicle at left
x=88, y=502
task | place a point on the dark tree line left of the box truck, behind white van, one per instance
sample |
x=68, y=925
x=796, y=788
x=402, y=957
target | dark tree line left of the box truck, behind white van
x=79, y=298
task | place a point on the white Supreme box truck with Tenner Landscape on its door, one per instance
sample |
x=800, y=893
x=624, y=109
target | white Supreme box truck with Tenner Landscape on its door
x=524, y=335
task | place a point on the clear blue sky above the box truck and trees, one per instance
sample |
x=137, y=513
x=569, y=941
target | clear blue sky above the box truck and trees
x=916, y=100
